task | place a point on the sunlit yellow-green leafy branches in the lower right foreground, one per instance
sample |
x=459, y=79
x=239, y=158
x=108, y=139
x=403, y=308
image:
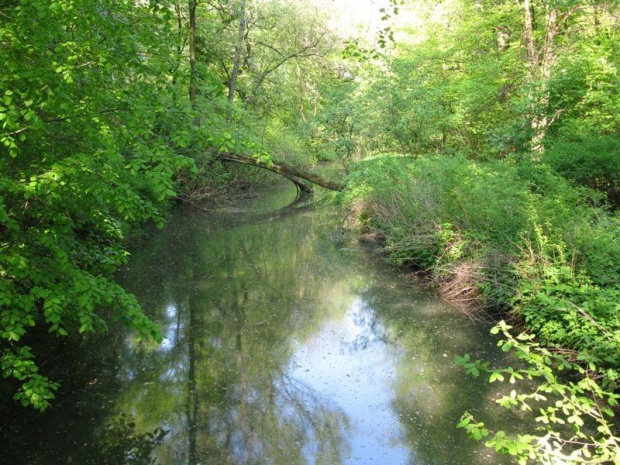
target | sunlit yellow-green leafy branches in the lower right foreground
x=575, y=413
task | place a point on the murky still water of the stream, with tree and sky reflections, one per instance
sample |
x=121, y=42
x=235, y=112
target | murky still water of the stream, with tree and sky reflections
x=284, y=344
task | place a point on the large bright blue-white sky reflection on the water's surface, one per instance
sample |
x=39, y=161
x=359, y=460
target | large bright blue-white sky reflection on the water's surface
x=349, y=365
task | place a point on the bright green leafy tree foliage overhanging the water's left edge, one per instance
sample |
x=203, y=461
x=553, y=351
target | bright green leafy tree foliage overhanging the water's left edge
x=82, y=97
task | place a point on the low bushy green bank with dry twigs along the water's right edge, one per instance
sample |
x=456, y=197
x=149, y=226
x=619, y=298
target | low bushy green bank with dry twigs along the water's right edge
x=514, y=241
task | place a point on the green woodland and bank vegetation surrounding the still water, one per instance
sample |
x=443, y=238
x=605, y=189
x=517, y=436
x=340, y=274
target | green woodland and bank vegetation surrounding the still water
x=480, y=140
